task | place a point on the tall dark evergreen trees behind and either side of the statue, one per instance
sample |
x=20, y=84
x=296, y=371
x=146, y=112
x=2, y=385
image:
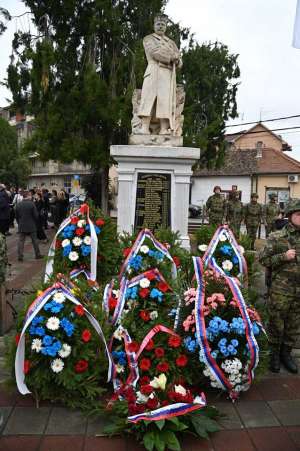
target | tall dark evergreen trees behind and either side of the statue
x=78, y=74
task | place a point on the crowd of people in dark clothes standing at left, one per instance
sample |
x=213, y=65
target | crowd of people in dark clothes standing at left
x=32, y=210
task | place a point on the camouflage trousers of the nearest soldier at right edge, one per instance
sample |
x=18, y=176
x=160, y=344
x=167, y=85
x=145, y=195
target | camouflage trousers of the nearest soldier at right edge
x=284, y=316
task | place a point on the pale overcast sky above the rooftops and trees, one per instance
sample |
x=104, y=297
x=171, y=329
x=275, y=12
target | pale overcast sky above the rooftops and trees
x=260, y=32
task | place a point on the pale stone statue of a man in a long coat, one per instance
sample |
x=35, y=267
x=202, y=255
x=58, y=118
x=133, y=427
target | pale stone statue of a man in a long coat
x=158, y=98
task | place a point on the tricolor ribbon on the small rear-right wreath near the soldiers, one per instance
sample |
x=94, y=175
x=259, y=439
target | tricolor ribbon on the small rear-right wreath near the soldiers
x=209, y=254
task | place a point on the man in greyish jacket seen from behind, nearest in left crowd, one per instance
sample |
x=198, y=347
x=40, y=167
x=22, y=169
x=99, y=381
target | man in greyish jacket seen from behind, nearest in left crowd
x=27, y=217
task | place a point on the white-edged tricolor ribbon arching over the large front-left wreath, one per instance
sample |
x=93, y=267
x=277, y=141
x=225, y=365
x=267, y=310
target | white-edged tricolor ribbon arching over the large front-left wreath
x=32, y=311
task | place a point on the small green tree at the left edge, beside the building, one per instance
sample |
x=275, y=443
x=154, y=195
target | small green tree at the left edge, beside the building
x=14, y=168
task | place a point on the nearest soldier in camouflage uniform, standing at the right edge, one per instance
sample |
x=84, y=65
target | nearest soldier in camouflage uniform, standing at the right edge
x=282, y=255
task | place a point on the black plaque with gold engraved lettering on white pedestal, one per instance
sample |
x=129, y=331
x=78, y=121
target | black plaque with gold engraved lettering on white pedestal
x=153, y=201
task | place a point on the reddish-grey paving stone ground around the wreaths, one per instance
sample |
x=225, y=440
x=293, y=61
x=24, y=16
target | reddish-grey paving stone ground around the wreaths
x=267, y=418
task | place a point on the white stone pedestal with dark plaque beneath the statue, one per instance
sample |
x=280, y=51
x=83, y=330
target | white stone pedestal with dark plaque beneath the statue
x=154, y=187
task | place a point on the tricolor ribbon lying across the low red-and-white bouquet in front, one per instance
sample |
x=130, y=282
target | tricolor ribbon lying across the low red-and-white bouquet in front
x=170, y=411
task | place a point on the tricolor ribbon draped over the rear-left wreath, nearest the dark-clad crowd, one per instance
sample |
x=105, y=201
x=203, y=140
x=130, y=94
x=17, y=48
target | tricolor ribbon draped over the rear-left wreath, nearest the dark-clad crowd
x=84, y=209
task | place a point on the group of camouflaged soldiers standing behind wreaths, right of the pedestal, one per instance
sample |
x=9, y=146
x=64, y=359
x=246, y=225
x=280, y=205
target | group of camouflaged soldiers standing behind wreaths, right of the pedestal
x=233, y=212
